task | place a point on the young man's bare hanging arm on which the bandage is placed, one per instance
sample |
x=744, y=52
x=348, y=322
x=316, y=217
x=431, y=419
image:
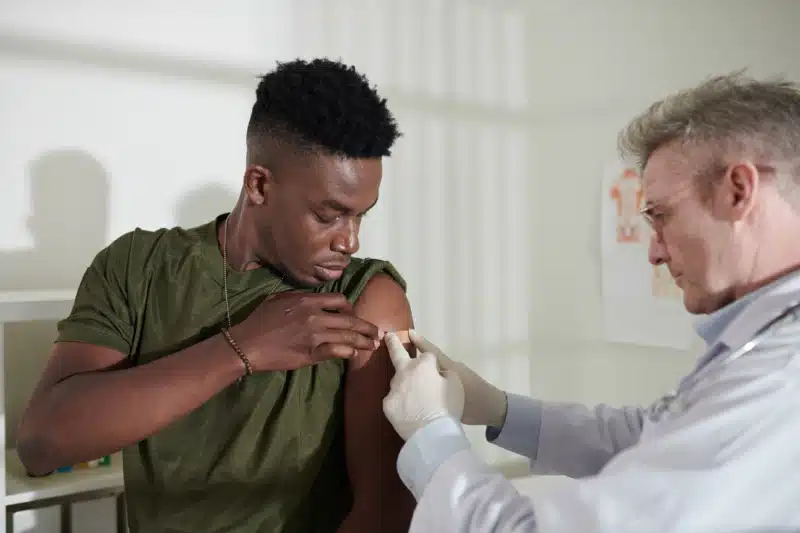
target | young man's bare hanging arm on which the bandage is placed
x=372, y=445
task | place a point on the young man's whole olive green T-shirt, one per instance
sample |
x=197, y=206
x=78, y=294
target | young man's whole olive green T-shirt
x=266, y=455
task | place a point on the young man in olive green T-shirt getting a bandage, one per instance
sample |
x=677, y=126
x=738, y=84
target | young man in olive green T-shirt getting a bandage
x=235, y=363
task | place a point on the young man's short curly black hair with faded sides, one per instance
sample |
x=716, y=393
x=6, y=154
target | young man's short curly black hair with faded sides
x=320, y=106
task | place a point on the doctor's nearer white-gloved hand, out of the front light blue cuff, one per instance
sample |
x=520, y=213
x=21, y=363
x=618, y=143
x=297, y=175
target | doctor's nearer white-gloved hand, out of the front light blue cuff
x=418, y=393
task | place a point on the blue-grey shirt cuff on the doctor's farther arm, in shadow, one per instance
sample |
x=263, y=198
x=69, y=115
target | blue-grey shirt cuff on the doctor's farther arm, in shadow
x=520, y=431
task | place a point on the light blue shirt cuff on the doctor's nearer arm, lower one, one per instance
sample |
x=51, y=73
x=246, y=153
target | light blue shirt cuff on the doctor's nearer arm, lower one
x=426, y=450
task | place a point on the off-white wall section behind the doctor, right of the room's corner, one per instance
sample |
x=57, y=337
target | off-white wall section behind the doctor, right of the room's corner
x=592, y=67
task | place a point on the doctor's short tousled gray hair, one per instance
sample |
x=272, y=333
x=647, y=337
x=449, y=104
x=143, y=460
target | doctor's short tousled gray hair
x=758, y=118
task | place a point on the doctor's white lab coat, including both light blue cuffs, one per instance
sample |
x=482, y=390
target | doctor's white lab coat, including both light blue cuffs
x=726, y=461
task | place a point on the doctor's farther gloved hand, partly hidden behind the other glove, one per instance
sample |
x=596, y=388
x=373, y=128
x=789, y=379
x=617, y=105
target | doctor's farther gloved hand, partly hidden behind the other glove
x=484, y=404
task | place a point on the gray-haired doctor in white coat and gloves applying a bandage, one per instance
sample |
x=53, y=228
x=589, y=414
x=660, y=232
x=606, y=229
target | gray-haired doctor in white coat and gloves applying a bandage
x=721, y=176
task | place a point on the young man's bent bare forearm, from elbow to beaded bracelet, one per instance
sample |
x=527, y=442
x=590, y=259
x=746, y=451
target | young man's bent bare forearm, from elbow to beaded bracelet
x=93, y=414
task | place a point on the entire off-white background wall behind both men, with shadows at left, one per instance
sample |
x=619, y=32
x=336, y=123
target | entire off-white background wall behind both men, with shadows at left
x=119, y=114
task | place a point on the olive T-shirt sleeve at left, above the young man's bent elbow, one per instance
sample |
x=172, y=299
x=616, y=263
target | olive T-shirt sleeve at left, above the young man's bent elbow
x=101, y=314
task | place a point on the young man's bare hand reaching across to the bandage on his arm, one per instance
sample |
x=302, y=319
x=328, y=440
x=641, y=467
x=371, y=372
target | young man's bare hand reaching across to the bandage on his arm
x=293, y=330
